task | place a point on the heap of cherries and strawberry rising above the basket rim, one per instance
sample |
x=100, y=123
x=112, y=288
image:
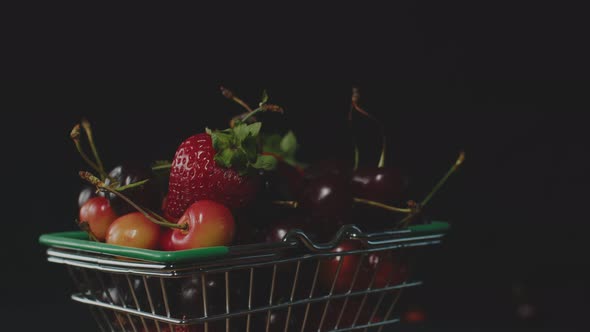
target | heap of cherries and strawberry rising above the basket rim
x=240, y=186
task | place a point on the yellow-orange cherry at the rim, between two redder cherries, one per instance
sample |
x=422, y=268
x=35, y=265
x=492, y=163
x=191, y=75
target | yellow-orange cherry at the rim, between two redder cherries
x=134, y=230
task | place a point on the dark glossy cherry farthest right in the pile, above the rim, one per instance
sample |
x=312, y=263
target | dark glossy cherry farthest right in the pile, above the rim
x=378, y=184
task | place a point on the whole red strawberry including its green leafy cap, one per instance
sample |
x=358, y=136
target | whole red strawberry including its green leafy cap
x=219, y=166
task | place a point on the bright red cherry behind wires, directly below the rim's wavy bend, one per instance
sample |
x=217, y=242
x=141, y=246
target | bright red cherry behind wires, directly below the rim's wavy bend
x=329, y=267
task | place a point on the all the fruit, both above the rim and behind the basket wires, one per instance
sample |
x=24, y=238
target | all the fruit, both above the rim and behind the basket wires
x=242, y=185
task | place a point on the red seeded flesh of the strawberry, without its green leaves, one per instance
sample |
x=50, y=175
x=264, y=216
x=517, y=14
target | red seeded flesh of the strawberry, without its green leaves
x=195, y=175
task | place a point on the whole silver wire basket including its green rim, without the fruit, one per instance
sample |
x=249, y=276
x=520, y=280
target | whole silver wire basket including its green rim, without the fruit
x=273, y=287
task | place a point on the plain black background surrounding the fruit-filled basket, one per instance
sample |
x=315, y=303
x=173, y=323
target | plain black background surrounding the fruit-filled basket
x=501, y=82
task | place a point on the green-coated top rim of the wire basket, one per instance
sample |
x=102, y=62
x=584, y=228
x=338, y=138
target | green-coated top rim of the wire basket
x=79, y=240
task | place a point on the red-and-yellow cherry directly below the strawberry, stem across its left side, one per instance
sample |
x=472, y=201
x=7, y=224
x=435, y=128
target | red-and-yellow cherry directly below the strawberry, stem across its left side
x=209, y=224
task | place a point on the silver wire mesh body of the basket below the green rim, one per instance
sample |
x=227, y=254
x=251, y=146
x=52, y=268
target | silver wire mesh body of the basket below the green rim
x=247, y=291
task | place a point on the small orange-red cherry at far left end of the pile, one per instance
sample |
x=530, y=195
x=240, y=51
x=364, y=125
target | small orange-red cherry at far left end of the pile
x=99, y=215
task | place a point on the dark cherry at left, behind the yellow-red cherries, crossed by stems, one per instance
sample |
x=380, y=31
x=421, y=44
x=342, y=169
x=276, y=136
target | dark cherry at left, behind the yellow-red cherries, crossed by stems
x=146, y=195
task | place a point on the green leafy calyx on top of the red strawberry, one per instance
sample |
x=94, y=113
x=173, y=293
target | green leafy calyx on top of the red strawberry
x=237, y=148
